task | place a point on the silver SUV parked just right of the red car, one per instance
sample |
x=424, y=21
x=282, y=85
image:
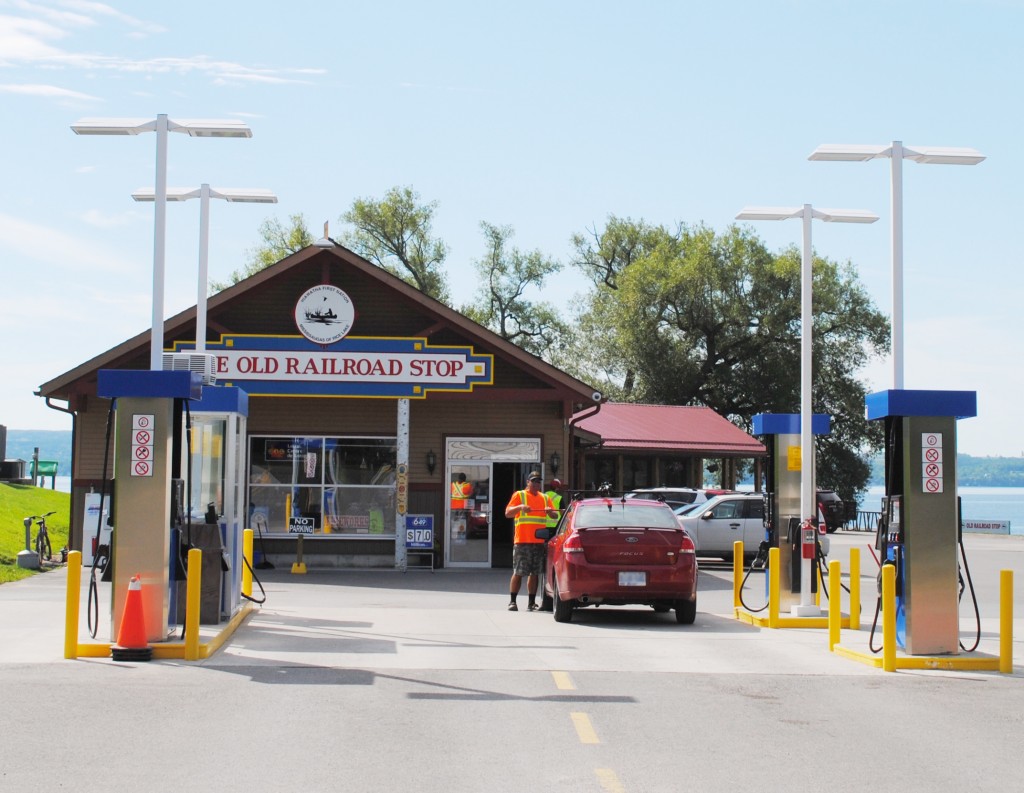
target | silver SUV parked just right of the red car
x=724, y=520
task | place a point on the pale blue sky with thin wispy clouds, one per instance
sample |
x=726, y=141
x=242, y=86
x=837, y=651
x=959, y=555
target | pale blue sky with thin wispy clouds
x=548, y=117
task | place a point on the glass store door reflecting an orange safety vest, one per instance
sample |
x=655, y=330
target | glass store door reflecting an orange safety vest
x=470, y=515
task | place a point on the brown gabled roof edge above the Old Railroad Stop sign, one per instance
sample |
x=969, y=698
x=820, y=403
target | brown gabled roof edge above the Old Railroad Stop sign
x=321, y=263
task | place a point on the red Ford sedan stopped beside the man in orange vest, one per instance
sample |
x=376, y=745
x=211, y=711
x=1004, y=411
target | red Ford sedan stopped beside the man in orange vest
x=619, y=552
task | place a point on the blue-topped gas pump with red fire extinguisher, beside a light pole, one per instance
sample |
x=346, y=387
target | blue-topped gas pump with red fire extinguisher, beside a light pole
x=786, y=529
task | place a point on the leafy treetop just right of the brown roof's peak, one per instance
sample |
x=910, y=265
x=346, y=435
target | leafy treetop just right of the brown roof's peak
x=395, y=234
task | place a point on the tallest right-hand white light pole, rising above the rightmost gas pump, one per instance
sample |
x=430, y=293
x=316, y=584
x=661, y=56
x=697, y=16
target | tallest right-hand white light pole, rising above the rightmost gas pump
x=898, y=153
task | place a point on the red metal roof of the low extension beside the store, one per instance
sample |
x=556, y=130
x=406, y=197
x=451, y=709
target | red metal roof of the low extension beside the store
x=671, y=429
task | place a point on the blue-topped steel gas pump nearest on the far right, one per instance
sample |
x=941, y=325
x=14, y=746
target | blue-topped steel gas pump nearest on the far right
x=919, y=531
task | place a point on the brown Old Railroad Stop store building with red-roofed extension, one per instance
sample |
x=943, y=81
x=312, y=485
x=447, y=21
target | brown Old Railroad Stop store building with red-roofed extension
x=346, y=368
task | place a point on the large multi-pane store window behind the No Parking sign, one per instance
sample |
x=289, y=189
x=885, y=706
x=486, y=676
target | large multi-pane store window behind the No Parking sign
x=323, y=485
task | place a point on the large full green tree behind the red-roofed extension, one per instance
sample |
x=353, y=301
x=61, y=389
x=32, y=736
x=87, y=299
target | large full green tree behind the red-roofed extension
x=703, y=319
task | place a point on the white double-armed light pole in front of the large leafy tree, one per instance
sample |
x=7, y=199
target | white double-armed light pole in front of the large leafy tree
x=806, y=214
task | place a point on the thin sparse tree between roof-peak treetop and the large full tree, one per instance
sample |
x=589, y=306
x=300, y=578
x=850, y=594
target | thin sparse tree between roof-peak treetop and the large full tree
x=506, y=274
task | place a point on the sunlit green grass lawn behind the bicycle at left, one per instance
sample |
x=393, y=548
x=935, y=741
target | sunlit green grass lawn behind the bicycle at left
x=17, y=504
